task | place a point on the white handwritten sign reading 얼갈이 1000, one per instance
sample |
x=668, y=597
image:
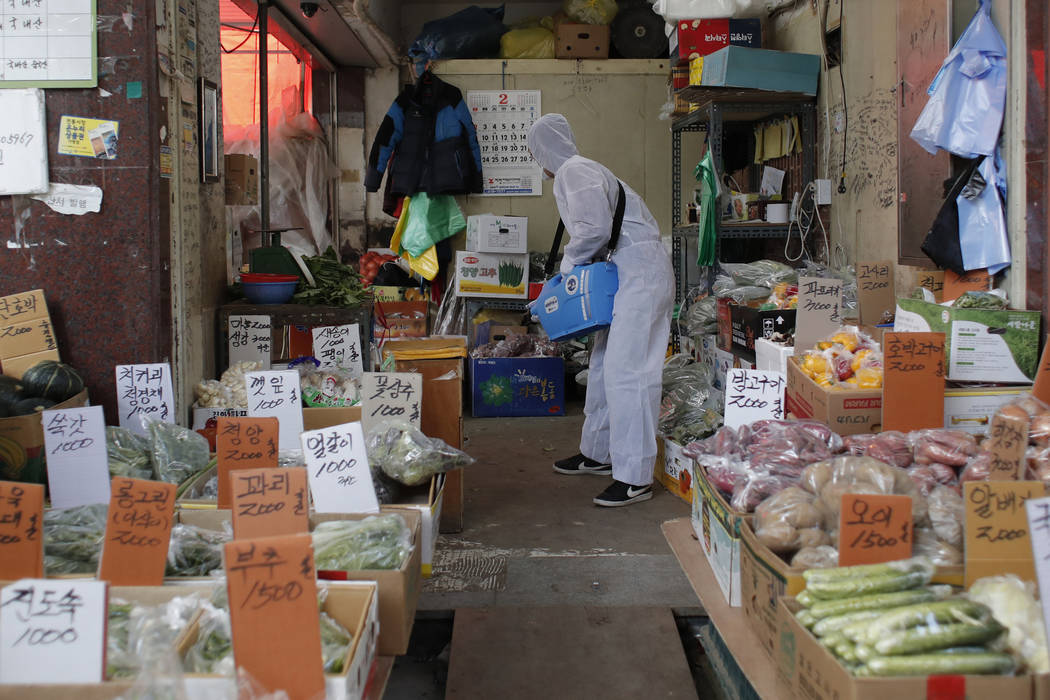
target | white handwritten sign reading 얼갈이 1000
x=338, y=465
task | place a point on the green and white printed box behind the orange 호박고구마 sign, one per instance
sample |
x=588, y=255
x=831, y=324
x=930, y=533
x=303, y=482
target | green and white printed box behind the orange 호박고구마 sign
x=983, y=346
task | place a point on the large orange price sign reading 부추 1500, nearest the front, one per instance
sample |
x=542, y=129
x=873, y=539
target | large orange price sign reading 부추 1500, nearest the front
x=272, y=586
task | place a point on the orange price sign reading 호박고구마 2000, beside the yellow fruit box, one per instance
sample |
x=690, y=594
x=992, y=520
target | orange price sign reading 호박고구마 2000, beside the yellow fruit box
x=913, y=396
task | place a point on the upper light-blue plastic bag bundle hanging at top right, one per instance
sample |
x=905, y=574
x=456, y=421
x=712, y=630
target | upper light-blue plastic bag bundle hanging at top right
x=969, y=96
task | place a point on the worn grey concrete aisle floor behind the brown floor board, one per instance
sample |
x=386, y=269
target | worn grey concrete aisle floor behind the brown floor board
x=533, y=539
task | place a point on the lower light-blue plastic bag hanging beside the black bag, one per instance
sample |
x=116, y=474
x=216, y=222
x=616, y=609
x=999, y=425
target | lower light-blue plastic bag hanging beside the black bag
x=982, y=224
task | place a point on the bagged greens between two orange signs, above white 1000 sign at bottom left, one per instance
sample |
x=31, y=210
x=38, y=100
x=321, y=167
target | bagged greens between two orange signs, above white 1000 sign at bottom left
x=73, y=540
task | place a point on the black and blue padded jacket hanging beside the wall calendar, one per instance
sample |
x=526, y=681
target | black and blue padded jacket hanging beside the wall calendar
x=428, y=142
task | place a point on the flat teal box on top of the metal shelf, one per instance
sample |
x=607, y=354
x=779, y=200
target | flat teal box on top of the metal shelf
x=759, y=69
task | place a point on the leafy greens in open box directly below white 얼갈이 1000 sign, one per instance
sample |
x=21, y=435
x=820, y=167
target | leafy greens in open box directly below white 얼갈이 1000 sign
x=379, y=542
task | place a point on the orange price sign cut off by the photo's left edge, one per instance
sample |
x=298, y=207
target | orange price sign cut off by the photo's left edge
x=22, y=538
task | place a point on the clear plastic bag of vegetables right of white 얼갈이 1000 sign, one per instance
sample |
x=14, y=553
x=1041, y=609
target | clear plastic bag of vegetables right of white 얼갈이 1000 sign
x=408, y=456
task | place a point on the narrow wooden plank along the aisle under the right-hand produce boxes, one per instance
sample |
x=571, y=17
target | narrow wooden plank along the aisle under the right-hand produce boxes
x=741, y=642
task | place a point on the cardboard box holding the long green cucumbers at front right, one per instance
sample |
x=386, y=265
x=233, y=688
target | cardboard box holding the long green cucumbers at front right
x=812, y=673
